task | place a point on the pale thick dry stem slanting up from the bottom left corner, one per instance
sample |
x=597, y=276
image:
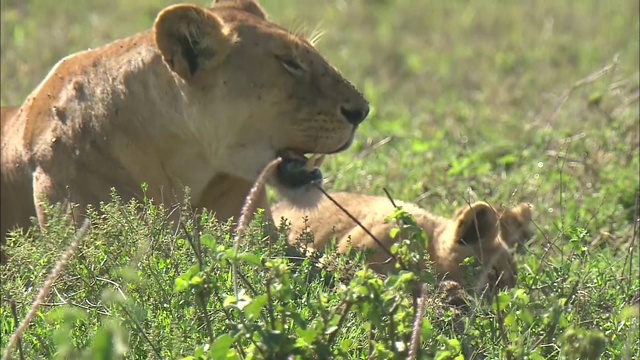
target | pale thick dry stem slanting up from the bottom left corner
x=46, y=288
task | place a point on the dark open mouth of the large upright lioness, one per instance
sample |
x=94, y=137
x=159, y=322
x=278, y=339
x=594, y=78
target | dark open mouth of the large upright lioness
x=296, y=170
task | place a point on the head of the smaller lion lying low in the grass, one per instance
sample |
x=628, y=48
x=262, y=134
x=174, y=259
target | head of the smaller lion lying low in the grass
x=477, y=231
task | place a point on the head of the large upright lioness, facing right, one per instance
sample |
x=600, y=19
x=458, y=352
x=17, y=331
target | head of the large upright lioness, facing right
x=256, y=91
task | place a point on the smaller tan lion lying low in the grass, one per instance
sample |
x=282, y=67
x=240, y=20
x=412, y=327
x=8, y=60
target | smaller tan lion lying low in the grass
x=476, y=230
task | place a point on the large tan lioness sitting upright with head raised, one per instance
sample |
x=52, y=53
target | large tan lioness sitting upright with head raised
x=204, y=99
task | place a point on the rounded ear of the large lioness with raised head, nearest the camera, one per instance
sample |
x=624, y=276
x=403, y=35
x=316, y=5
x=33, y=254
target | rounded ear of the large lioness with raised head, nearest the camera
x=191, y=38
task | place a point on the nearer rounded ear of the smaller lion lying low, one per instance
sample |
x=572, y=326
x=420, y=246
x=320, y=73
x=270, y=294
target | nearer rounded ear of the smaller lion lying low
x=475, y=223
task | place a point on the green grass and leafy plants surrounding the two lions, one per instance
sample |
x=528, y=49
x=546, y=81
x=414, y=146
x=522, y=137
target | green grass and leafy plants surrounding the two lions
x=493, y=100
